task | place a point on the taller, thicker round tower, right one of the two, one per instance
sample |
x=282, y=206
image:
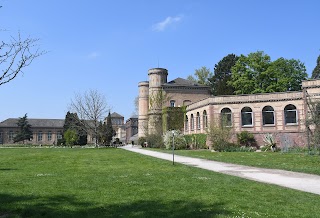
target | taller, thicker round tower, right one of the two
x=157, y=77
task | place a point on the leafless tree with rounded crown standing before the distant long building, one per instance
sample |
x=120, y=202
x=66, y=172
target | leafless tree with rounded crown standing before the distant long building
x=91, y=108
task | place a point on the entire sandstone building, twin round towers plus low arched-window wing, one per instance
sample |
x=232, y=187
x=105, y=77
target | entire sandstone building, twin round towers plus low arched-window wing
x=281, y=114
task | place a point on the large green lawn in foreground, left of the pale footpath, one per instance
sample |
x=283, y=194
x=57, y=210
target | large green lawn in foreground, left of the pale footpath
x=50, y=182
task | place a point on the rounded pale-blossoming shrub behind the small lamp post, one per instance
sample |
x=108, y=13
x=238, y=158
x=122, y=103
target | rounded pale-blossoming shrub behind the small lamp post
x=179, y=140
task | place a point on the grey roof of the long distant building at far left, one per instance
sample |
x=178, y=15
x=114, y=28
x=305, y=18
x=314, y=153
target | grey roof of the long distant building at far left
x=51, y=123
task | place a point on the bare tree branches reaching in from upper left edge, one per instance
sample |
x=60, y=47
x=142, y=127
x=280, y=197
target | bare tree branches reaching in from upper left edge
x=16, y=55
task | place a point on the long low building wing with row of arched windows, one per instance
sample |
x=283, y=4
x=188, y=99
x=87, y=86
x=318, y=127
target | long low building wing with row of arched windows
x=283, y=115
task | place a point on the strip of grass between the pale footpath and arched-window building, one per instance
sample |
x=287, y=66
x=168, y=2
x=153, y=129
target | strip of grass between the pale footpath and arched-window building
x=297, y=162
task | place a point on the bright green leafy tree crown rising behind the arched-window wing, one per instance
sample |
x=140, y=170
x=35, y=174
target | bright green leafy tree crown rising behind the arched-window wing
x=256, y=73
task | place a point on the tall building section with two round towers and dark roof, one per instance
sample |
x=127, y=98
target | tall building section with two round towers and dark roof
x=157, y=93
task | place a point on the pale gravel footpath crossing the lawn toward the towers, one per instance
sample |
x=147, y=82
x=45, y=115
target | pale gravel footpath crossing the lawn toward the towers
x=299, y=181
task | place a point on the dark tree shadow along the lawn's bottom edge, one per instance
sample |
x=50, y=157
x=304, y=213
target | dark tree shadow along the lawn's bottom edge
x=66, y=206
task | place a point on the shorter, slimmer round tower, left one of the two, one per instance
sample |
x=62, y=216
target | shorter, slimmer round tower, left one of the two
x=143, y=108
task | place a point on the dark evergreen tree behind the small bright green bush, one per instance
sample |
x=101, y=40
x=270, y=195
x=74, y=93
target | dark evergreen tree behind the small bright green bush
x=72, y=122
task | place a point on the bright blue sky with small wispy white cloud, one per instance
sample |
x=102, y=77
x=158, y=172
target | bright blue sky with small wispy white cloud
x=109, y=45
